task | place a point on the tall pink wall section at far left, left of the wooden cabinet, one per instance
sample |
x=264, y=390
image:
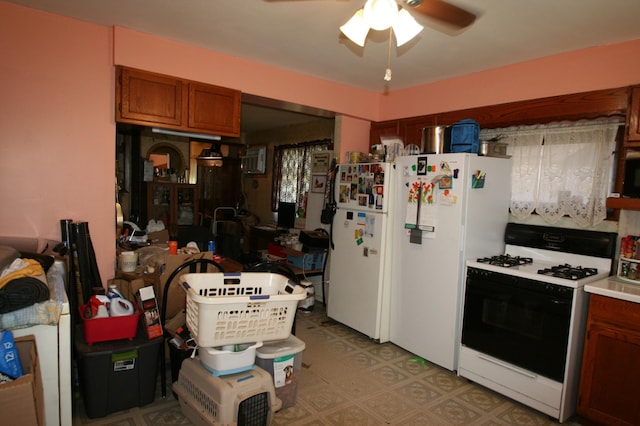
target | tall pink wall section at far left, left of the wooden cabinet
x=57, y=150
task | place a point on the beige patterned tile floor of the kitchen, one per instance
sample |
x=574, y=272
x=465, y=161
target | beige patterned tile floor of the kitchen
x=348, y=379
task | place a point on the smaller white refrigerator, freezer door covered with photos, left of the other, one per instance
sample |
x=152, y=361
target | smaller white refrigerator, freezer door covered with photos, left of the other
x=359, y=280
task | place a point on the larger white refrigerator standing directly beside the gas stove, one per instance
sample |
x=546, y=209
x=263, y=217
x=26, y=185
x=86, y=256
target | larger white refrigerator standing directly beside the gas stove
x=462, y=214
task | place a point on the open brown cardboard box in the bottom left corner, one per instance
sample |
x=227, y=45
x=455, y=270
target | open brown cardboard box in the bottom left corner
x=22, y=400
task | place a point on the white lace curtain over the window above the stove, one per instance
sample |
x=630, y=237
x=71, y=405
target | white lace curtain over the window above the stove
x=560, y=170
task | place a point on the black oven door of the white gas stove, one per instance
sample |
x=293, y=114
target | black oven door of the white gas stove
x=517, y=320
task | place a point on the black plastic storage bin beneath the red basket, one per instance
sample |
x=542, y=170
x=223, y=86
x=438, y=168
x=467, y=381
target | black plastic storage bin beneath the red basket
x=117, y=375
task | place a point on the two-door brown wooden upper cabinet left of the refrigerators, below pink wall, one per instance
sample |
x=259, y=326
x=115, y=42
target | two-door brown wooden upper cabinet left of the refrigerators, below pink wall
x=151, y=99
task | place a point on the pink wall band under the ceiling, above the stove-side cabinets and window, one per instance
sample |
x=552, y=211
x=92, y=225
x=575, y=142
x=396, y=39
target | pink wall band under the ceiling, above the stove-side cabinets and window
x=579, y=71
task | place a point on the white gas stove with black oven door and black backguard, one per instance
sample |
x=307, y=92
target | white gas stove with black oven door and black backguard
x=525, y=312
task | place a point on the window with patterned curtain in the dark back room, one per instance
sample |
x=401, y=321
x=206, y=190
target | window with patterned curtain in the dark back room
x=292, y=171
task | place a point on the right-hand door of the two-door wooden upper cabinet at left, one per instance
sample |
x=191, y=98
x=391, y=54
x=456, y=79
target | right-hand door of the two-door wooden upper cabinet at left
x=214, y=109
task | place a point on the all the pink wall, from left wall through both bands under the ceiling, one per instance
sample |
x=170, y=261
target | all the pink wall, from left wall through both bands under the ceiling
x=57, y=110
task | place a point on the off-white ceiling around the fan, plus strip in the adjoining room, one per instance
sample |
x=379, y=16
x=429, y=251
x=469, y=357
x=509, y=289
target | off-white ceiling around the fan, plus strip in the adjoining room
x=304, y=35
